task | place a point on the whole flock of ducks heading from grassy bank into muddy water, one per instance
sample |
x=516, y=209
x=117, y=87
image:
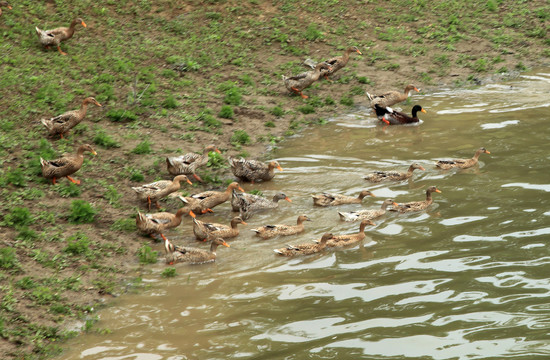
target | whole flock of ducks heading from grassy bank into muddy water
x=185, y=166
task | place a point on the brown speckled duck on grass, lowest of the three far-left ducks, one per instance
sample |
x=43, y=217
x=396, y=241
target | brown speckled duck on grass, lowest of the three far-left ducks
x=66, y=165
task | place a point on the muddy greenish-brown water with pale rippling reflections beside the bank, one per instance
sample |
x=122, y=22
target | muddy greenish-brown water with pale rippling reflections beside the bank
x=468, y=279
